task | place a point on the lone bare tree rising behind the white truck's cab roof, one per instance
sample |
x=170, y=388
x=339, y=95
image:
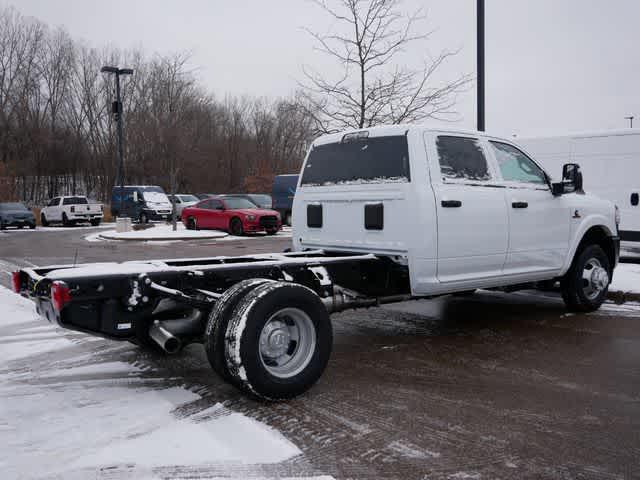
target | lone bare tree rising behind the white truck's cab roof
x=375, y=87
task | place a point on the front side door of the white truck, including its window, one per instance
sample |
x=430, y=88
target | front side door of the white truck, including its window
x=539, y=223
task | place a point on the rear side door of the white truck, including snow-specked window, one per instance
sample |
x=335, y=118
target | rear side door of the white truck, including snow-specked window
x=472, y=219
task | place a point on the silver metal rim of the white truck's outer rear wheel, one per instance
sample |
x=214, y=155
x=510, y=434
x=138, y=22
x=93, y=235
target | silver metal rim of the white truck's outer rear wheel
x=287, y=342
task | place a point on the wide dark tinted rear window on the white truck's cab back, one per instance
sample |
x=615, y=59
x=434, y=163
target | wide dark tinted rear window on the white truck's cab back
x=369, y=160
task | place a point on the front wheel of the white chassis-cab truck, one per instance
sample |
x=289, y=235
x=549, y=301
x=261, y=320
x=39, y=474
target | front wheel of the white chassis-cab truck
x=584, y=287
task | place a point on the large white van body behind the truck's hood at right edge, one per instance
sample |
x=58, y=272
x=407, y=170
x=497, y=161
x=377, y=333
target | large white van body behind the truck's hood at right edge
x=610, y=163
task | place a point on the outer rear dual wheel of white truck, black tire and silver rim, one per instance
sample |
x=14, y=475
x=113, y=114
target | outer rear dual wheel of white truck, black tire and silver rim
x=278, y=341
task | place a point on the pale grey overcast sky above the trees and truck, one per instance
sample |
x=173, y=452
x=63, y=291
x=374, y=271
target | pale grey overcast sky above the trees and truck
x=553, y=66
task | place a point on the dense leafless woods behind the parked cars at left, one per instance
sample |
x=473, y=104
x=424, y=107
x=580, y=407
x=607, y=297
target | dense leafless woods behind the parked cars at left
x=58, y=134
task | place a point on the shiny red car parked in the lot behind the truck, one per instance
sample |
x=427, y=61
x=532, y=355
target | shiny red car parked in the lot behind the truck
x=233, y=214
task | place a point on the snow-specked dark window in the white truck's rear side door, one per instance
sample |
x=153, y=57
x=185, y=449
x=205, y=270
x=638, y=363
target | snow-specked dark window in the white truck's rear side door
x=462, y=158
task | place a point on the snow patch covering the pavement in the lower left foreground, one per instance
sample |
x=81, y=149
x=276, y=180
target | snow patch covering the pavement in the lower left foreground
x=66, y=414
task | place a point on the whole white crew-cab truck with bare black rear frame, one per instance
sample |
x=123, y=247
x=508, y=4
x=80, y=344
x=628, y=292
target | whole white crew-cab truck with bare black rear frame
x=380, y=215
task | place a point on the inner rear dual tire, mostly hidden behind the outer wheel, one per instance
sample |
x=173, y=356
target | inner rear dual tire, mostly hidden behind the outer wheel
x=218, y=322
